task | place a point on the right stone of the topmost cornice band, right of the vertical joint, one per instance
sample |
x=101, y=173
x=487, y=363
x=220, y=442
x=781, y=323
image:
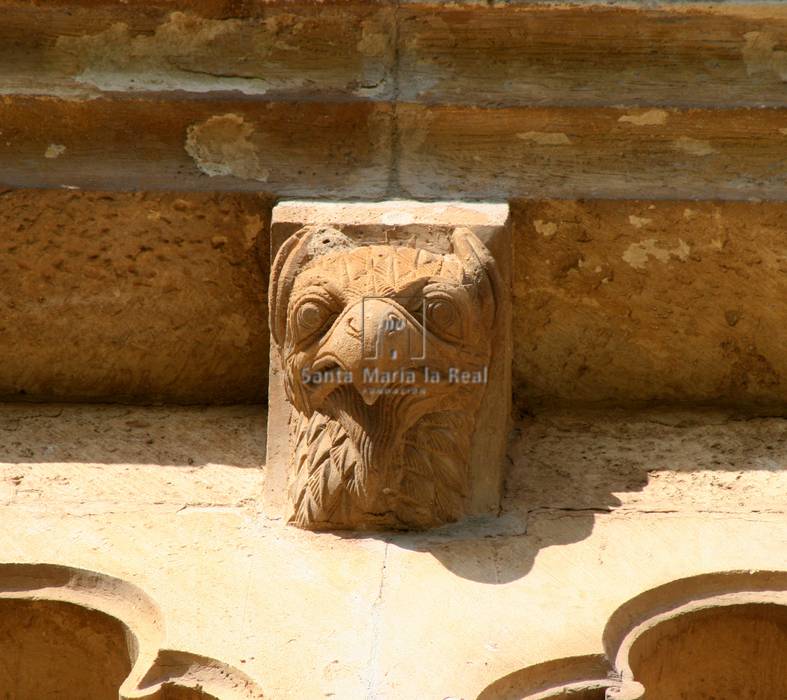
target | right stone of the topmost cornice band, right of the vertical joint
x=583, y=53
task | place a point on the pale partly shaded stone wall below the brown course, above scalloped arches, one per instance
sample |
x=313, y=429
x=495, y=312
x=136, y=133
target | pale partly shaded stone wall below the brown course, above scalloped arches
x=601, y=507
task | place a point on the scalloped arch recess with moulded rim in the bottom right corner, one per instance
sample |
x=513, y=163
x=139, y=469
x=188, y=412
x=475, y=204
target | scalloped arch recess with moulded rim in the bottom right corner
x=720, y=636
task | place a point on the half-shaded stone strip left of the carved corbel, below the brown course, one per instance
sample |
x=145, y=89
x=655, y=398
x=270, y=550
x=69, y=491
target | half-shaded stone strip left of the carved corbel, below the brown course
x=209, y=445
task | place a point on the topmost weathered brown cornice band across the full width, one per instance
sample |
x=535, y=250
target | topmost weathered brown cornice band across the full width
x=580, y=52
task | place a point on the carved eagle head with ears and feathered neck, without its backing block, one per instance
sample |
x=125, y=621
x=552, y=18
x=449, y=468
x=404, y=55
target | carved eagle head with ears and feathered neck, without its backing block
x=384, y=351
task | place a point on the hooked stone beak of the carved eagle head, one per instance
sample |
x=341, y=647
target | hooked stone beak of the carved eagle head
x=372, y=340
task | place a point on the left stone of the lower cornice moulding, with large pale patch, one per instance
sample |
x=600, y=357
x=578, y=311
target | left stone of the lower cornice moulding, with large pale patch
x=149, y=143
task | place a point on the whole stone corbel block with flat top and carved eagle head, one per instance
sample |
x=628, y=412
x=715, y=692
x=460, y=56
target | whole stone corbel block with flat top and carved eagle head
x=389, y=386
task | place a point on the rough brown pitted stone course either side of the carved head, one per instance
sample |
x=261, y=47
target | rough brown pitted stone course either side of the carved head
x=163, y=297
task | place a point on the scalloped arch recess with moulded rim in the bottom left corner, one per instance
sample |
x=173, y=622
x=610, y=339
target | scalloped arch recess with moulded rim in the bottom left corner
x=67, y=632
